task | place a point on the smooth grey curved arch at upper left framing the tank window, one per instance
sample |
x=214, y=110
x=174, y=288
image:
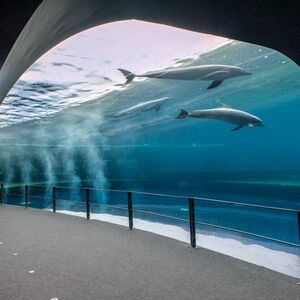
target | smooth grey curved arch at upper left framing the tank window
x=52, y=22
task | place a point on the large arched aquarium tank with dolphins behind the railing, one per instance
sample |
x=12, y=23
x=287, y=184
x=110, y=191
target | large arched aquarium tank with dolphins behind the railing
x=157, y=110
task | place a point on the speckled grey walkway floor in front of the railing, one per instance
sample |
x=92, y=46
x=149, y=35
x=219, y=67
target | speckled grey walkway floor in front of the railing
x=73, y=258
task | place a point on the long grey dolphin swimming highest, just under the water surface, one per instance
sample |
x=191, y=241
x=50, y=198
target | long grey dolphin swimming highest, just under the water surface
x=214, y=73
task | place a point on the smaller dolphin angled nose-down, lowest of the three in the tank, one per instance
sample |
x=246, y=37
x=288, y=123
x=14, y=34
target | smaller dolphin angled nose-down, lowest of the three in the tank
x=234, y=116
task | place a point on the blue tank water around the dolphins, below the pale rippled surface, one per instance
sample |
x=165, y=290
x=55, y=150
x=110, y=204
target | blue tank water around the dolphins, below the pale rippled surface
x=154, y=152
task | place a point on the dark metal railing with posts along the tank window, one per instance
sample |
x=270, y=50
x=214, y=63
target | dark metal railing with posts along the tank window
x=130, y=210
